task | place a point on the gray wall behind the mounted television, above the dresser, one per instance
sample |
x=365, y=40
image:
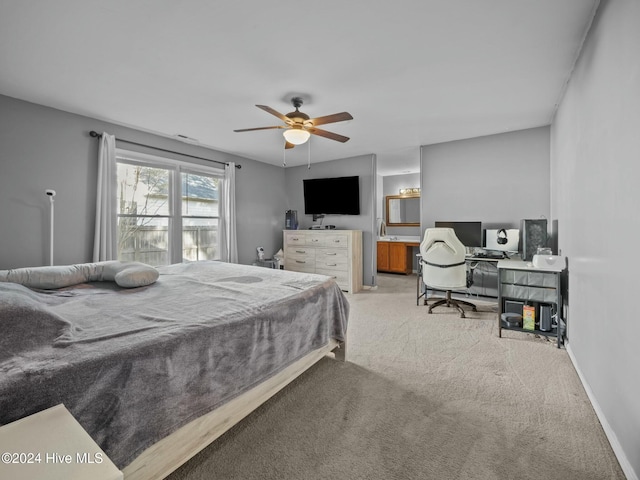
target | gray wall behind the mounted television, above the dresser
x=365, y=167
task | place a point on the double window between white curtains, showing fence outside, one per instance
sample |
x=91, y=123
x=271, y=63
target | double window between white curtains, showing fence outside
x=168, y=211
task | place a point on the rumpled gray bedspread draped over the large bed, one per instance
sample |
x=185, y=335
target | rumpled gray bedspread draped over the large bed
x=134, y=365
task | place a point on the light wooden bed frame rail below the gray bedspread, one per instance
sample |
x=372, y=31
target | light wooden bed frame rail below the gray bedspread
x=171, y=452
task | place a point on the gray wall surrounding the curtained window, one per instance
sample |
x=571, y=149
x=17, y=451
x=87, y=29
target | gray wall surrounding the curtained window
x=42, y=148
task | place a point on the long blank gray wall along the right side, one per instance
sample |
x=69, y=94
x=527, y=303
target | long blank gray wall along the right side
x=595, y=152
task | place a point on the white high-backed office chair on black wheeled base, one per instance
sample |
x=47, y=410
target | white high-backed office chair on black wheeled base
x=443, y=266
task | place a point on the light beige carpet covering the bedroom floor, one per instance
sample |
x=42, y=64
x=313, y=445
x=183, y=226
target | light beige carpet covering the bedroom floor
x=421, y=397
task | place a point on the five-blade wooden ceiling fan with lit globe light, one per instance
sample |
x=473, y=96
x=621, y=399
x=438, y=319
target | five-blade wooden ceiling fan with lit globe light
x=299, y=126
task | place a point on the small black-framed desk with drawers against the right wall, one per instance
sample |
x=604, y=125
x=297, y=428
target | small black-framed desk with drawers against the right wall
x=520, y=283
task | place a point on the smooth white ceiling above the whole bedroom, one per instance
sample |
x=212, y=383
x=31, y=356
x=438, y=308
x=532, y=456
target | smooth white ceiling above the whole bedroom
x=411, y=72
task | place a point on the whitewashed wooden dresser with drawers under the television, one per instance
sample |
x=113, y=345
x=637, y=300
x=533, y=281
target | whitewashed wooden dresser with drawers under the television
x=337, y=253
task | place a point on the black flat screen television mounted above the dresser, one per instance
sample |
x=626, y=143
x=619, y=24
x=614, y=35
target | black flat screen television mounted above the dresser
x=332, y=196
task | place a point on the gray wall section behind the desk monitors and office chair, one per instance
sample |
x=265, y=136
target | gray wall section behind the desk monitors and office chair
x=497, y=179
